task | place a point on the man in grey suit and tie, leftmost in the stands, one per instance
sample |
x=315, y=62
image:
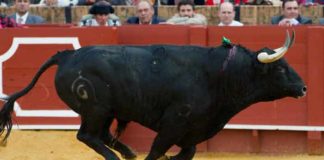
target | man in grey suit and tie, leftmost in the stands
x=22, y=15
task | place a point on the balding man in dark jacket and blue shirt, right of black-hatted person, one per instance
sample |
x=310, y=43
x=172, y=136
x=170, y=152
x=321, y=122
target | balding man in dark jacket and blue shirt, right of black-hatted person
x=145, y=14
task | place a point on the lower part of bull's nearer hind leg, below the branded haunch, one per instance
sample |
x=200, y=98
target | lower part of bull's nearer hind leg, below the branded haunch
x=90, y=133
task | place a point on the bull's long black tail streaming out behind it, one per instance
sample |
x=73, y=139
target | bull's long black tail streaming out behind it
x=7, y=109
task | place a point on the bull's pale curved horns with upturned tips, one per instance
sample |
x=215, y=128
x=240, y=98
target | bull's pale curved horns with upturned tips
x=263, y=57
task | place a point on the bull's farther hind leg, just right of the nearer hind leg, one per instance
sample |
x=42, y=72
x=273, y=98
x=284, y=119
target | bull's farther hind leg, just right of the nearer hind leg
x=108, y=139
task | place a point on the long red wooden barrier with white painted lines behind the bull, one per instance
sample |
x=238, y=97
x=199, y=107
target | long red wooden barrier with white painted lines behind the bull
x=260, y=122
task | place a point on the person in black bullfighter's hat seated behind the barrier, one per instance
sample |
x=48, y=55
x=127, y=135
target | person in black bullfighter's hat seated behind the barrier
x=100, y=14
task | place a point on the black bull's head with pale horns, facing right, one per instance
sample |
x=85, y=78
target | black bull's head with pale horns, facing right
x=280, y=80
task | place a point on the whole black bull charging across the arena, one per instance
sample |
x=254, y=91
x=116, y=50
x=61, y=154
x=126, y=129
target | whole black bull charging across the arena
x=184, y=93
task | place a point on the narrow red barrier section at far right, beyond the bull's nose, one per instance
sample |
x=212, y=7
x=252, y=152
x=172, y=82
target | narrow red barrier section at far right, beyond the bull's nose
x=315, y=110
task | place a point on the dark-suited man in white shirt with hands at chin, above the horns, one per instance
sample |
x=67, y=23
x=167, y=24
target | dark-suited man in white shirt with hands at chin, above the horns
x=291, y=16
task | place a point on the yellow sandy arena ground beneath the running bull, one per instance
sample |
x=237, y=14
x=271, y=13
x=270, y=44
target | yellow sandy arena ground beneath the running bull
x=63, y=145
